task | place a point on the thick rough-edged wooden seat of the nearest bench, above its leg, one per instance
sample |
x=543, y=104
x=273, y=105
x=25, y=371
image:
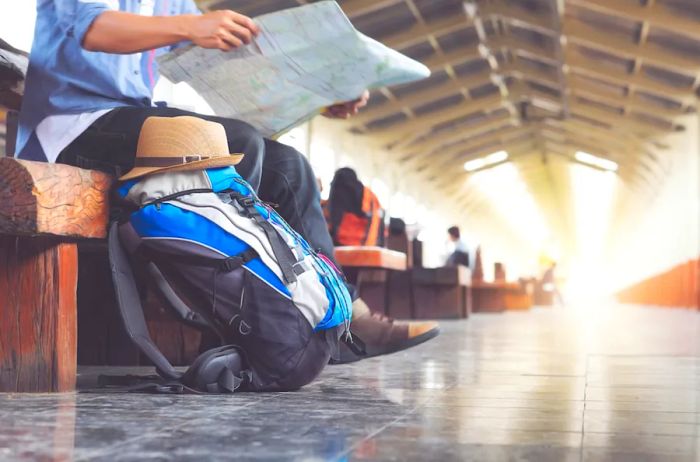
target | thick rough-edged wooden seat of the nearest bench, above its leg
x=37, y=198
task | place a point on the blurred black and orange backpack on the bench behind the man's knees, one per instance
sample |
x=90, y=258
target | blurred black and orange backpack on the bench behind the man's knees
x=356, y=216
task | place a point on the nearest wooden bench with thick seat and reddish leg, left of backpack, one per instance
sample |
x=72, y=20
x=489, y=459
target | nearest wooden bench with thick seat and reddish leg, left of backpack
x=45, y=209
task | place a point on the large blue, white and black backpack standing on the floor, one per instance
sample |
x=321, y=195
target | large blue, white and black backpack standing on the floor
x=227, y=263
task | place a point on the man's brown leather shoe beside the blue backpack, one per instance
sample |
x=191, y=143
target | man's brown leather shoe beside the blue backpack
x=382, y=335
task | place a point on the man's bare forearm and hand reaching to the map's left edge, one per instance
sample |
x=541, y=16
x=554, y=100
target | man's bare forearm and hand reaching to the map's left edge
x=124, y=33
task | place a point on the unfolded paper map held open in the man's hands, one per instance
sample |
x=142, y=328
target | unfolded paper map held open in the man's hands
x=304, y=59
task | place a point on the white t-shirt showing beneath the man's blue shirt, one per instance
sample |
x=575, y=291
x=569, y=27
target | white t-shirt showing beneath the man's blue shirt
x=56, y=132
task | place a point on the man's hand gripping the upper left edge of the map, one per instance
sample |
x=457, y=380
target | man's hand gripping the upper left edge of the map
x=224, y=30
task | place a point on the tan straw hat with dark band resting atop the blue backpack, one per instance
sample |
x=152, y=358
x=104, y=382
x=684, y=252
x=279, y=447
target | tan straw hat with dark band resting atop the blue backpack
x=175, y=144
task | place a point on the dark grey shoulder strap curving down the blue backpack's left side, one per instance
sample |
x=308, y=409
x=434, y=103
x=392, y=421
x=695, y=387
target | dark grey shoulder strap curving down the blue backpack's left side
x=130, y=308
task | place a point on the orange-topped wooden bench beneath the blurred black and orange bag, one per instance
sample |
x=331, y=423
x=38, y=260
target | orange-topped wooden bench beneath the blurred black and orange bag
x=369, y=269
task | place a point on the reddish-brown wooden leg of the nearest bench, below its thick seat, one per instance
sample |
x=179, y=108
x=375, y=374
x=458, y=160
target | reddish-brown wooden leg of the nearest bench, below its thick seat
x=38, y=328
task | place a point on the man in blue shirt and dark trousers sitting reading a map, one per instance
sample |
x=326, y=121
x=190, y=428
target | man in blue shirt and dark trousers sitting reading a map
x=89, y=88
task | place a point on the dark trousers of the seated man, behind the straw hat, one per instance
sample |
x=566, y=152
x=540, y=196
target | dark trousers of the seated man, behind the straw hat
x=279, y=173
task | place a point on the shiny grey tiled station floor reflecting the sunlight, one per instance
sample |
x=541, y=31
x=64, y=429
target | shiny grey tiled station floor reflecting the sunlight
x=616, y=383
